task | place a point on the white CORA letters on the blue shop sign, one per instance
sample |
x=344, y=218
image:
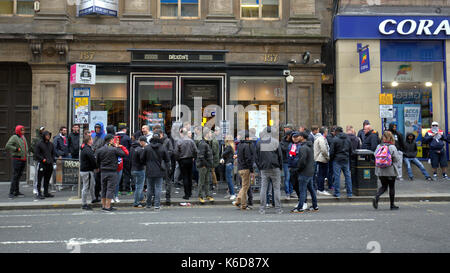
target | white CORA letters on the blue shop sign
x=410, y=26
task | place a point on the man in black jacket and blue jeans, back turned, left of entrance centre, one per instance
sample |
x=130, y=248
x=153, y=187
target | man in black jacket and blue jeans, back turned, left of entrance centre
x=154, y=155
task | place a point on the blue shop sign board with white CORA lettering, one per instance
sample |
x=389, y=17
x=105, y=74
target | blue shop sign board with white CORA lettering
x=391, y=27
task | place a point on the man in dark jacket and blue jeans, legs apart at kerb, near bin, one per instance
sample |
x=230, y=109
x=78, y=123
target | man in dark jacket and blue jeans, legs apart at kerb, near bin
x=306, y=174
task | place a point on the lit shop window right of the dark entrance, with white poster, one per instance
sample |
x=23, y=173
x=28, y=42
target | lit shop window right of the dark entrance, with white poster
x=266, y=94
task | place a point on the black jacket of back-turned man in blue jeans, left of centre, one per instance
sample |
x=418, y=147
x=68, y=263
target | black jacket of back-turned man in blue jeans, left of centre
x=153, y=156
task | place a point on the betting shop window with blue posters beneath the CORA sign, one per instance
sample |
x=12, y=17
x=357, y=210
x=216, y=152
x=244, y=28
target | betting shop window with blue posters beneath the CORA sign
x=418, y=92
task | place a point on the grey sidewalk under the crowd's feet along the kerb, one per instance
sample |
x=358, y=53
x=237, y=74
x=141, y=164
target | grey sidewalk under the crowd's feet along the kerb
x=417, y=190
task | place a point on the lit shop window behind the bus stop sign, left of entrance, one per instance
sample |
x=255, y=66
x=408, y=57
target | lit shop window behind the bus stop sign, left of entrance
x=109, y=100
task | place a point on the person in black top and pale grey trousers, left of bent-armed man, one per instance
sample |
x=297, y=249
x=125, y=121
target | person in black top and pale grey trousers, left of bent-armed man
x=87, y=166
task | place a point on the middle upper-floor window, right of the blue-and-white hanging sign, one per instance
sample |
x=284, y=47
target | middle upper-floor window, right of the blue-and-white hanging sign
x=179, y=8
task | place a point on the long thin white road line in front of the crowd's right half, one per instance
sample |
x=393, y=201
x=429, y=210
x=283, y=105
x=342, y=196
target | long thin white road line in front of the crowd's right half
x=258, y=221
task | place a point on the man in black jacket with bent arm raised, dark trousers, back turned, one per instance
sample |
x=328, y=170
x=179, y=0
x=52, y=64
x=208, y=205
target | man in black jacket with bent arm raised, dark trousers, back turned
x=107, y=162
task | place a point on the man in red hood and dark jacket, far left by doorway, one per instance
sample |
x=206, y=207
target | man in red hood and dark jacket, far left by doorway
x=18, y=147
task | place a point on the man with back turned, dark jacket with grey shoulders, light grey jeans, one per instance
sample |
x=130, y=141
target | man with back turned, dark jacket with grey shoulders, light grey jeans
x=269, y=160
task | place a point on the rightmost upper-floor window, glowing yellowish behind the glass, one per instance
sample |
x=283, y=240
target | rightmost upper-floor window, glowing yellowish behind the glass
x=260, y=8
